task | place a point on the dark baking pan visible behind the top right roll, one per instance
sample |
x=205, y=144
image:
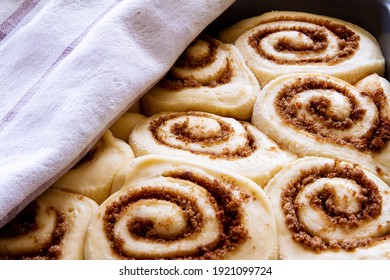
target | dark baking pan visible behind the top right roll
x=372, y=15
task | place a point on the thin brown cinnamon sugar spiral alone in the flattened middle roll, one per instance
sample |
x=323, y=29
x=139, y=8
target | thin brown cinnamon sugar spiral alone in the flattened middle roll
x=182, y=132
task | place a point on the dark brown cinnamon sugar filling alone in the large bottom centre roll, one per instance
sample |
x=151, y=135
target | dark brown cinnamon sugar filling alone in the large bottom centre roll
x=227, y=207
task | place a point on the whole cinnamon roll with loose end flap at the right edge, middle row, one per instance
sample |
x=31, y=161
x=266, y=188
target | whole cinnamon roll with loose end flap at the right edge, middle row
x=319, y=115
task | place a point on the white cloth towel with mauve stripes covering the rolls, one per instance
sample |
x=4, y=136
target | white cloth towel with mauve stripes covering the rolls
x=69, y=68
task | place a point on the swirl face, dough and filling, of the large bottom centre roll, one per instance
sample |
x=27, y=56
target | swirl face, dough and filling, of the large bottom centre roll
x=189, y=217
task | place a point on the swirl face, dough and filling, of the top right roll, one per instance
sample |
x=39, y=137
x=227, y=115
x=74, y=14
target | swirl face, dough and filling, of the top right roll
x=303, y=40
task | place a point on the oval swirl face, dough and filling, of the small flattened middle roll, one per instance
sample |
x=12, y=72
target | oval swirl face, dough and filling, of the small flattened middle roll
x=204, y=134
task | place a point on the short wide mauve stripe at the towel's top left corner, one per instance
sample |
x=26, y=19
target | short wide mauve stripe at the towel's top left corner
x=13, y=20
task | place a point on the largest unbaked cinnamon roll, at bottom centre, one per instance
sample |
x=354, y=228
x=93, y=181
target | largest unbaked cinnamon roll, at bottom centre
x=170, y=208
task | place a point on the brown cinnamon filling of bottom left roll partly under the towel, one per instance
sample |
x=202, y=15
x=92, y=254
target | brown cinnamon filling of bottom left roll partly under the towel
x=25, y=223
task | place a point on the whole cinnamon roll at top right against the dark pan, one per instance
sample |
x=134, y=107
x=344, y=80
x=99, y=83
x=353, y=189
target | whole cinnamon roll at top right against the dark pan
x=279, y=43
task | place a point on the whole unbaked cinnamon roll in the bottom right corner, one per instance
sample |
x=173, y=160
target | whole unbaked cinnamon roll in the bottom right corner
x=330, y=209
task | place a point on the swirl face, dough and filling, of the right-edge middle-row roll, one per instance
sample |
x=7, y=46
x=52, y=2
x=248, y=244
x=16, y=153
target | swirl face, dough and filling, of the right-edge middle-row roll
x=331, y=111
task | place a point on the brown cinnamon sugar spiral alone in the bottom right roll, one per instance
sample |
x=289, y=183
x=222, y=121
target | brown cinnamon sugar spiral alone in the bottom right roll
x=369, y=198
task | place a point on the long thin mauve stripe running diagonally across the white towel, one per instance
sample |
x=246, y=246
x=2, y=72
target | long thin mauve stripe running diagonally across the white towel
x=68, y=50
